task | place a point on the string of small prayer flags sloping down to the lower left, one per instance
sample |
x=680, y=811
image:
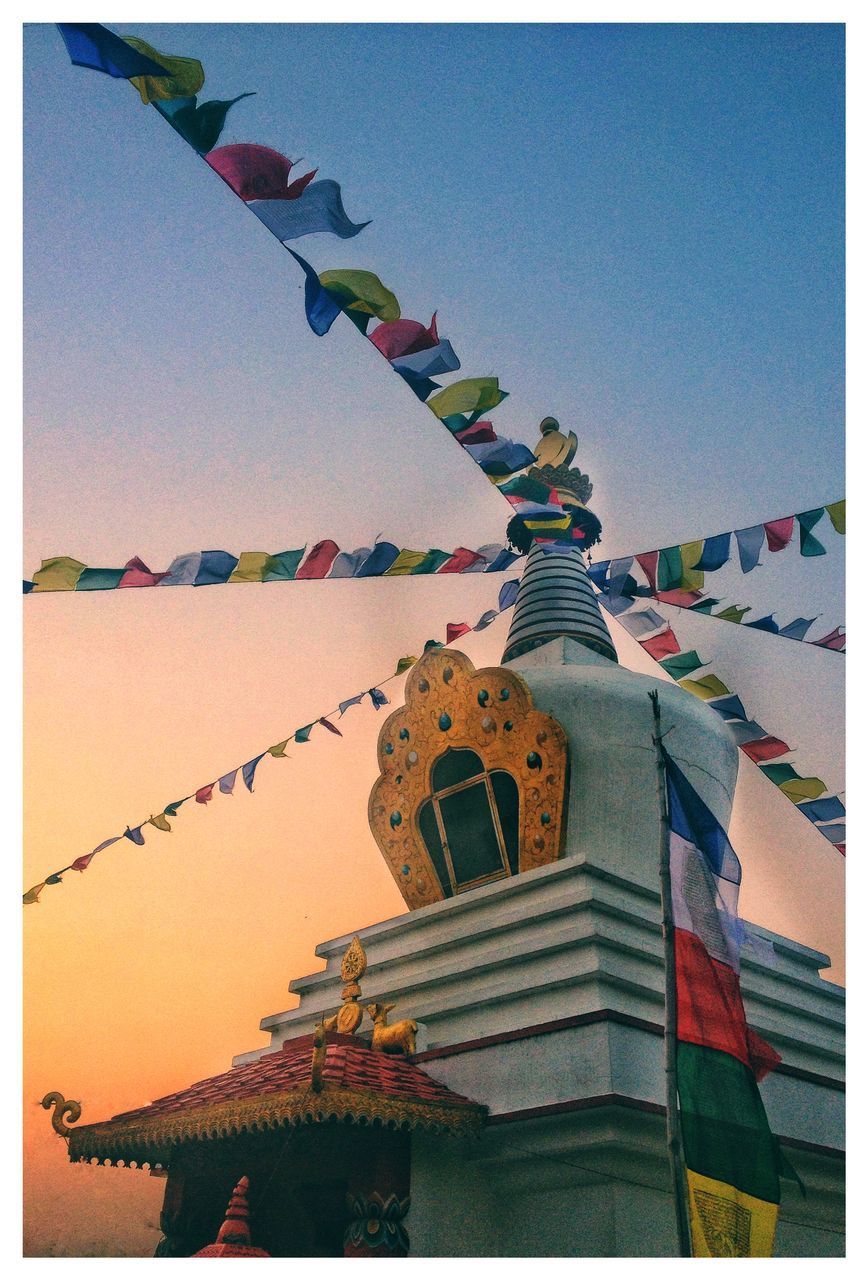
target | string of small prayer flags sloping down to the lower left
x=227, y=783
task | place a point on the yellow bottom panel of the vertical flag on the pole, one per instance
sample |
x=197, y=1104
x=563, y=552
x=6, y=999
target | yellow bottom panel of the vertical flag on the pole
x=727, y=1223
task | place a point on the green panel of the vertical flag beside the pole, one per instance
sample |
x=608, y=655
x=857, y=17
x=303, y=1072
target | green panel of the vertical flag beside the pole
x=724, y=1126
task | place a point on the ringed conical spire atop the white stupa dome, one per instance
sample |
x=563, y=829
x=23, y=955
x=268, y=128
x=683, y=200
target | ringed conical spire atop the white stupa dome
x=556, y=600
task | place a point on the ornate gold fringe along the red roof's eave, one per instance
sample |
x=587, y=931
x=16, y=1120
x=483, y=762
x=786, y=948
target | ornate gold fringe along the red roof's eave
x=154, y=1140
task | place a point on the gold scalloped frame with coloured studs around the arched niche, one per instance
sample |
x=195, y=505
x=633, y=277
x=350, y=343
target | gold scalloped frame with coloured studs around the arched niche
x=491, y=712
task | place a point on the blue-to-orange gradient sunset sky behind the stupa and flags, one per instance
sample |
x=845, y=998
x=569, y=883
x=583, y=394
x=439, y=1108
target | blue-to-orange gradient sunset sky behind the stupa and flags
x=639, y=230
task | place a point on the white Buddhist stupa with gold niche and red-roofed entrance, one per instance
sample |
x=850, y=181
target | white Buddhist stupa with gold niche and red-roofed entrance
x=518, y=1105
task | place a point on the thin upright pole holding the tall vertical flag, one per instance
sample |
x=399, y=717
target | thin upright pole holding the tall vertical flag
x=670, y=1017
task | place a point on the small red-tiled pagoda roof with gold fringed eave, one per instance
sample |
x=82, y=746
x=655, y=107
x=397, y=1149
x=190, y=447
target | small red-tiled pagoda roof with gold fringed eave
x=353, y=1085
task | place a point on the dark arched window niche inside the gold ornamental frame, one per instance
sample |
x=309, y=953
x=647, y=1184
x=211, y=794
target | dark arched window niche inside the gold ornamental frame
x=470, y=822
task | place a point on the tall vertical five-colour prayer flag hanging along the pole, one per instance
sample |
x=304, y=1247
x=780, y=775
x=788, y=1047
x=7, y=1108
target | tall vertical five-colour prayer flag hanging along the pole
x=732, y=1158
